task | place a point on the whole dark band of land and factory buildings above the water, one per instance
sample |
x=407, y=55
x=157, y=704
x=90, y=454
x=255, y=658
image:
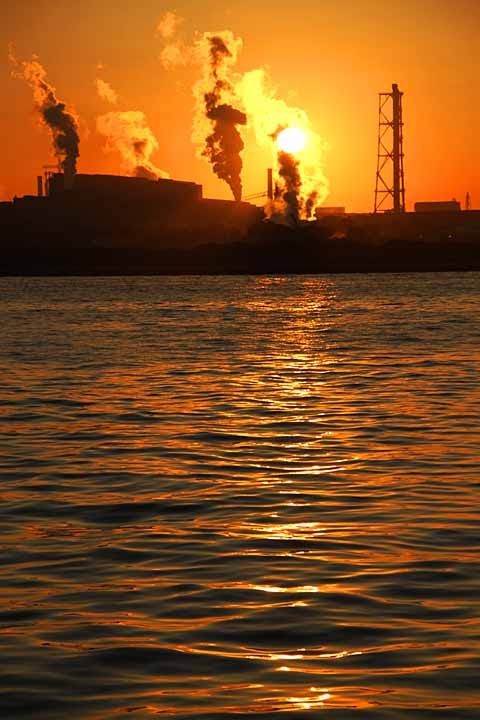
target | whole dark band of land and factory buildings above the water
x=128, y=226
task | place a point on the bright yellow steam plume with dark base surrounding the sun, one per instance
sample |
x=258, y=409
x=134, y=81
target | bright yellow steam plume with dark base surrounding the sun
x=300, y=180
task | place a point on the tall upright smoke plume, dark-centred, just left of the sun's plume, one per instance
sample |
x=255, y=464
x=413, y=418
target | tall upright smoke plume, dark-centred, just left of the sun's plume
x=216, y=118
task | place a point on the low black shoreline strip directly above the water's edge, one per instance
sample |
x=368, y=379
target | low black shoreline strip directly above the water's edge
x=295, y=252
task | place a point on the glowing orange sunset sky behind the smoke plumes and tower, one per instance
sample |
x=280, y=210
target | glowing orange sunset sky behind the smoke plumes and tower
x=329, y=58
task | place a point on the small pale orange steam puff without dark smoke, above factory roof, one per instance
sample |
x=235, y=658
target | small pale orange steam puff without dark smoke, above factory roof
x=128, y=133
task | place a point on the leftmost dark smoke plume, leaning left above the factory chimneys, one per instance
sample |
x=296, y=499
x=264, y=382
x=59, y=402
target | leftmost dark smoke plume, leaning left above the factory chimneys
x=61, y=122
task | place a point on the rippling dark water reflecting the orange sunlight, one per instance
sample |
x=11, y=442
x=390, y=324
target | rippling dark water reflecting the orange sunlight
x=240, y=497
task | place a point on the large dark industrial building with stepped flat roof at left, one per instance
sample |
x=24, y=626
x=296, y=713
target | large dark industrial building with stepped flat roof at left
x=117, y=210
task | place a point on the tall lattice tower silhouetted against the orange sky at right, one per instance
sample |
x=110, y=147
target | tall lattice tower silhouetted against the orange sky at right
x=390, y=180
